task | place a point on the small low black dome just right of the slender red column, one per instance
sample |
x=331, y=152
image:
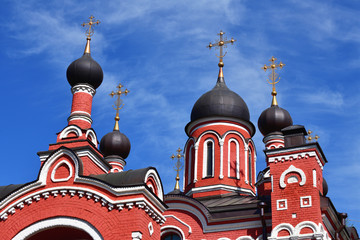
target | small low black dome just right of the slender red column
x=115, y=143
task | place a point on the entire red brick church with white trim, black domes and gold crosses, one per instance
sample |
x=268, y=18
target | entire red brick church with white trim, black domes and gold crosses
x=83, y=190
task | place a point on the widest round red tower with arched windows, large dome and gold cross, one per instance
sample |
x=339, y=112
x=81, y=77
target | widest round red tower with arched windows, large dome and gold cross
x=219, y=154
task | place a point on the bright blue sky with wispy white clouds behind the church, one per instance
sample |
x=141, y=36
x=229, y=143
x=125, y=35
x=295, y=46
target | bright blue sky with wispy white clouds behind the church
x=157, y=50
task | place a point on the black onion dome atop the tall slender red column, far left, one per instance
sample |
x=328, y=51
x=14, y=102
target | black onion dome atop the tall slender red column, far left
x=85, y=70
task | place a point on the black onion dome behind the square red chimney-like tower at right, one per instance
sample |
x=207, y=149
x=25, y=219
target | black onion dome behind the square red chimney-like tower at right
x=274, y=119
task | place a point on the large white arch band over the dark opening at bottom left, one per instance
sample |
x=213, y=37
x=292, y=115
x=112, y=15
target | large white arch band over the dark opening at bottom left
x=59, y=222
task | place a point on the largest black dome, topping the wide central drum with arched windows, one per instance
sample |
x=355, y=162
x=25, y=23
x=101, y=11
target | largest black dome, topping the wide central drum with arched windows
x=220, y=101
